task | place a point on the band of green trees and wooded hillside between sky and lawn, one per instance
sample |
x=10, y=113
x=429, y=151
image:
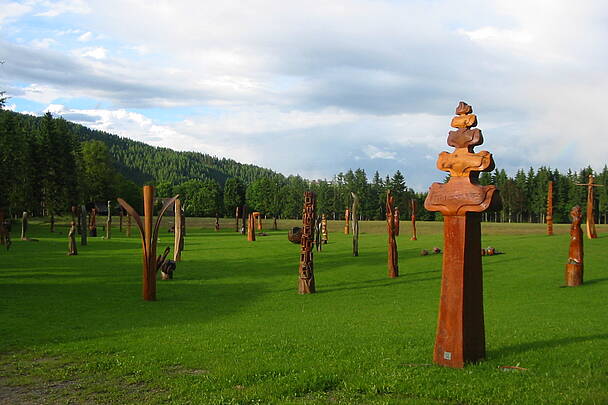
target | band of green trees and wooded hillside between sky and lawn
x=48, y=164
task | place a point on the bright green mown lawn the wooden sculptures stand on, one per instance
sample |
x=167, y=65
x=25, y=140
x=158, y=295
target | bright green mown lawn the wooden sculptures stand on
x=231, y=328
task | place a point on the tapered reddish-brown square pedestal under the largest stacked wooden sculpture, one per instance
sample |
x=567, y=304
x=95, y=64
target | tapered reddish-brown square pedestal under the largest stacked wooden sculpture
x=460, y=335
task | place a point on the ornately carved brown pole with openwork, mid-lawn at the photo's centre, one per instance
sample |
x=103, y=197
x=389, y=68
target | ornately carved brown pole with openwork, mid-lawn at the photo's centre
x=306, y=284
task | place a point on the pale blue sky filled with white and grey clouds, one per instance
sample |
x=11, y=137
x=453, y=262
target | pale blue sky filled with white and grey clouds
x=319, y=87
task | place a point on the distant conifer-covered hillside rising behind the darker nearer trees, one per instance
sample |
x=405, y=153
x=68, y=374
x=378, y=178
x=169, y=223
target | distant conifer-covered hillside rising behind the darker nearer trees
x=143, y=163
